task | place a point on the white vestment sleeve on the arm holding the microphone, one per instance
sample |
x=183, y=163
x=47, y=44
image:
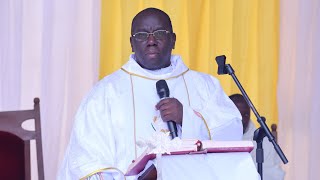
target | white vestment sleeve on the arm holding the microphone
x=217, y=118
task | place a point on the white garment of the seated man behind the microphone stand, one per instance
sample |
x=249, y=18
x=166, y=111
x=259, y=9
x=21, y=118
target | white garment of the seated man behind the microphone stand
x=271, y=164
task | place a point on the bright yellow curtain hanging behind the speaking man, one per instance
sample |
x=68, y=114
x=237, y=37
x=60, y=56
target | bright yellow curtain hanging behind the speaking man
x=246, y=31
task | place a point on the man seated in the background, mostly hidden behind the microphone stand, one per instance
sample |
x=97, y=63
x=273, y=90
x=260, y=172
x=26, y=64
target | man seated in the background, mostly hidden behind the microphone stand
x=271, y=165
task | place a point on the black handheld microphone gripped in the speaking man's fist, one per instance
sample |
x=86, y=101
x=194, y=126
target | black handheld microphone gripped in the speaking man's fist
x=163, y=92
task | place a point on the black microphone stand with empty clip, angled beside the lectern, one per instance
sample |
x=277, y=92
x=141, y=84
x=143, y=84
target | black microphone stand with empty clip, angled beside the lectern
x=263, y=130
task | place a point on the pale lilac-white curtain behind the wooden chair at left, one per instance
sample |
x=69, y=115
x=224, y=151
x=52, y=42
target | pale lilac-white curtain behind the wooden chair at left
x=48, y=49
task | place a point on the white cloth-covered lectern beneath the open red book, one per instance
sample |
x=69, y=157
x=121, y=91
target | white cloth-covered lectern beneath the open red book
x=211, y=166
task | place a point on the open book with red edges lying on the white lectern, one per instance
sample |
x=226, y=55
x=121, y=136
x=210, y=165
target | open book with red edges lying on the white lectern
x=191, y=147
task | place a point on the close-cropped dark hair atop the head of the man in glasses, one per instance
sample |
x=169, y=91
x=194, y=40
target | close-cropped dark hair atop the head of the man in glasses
x=151, y=12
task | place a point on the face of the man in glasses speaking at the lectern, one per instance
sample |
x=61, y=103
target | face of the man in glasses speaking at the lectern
x=152, y=53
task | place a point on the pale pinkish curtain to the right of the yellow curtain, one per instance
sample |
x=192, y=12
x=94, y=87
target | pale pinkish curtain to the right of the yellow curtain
x=299, y=87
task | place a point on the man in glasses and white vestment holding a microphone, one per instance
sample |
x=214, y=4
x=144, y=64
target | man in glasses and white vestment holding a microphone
x=124, y=106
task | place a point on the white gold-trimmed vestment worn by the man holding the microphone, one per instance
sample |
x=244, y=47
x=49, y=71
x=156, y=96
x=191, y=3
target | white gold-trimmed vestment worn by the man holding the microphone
x=121, y=108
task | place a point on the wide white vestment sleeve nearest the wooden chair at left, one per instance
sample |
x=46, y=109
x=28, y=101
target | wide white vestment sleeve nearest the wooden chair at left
x=92, y=146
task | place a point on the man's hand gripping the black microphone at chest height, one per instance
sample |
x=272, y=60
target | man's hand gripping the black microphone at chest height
x=171, y=110
